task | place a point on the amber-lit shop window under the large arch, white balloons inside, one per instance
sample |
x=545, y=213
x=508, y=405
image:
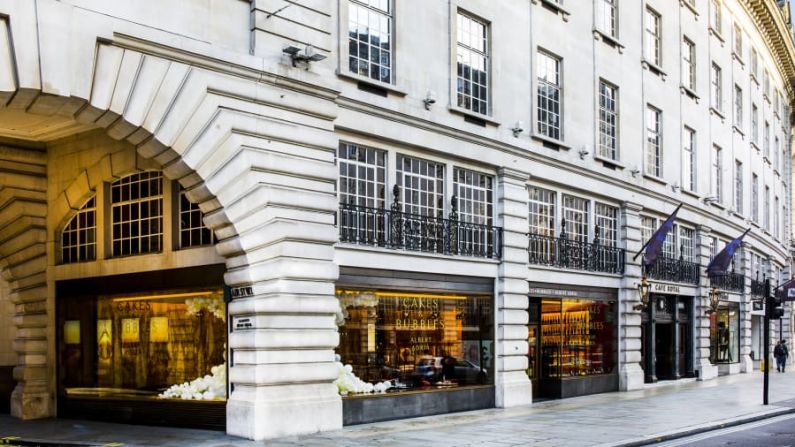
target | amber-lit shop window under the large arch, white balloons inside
x=163, y=345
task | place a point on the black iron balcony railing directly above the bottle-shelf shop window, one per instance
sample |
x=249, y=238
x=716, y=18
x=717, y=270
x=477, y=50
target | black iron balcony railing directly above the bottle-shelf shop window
x=571, y=254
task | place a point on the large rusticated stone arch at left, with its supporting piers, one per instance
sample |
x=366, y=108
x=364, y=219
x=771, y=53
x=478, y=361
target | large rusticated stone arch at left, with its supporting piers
x=248, y=150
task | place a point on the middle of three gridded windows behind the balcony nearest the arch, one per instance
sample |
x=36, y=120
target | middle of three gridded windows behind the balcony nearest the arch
x=422, y=183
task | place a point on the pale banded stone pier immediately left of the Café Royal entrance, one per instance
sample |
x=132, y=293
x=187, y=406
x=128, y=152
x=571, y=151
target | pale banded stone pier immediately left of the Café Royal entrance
x=630, y=372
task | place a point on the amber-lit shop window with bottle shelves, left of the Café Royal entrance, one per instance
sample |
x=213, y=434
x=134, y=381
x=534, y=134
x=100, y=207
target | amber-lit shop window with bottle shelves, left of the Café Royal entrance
x=577, y=338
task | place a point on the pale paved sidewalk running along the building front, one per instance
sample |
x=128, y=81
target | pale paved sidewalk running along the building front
x=613, y=419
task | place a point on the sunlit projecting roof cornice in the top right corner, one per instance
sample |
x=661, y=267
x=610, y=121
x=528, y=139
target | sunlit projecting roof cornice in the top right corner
x=769, y=19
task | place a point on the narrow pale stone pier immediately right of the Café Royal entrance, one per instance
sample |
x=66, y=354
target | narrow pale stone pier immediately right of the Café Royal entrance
x=706, y=370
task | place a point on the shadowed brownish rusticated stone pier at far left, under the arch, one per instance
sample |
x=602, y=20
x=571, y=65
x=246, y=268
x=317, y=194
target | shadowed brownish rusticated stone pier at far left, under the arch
x=23, y=257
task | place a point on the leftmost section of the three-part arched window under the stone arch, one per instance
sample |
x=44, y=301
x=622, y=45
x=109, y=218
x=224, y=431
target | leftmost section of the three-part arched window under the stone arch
x=79, y=237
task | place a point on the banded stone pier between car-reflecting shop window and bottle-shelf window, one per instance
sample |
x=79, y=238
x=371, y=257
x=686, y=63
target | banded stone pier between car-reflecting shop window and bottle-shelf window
x=513, y=387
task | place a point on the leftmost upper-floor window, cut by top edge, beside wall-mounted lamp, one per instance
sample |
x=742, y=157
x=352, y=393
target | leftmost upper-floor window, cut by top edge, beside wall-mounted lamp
x=370, y=39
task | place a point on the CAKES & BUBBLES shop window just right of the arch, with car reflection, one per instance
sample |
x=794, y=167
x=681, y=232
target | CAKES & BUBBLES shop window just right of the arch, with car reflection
x=415, y=341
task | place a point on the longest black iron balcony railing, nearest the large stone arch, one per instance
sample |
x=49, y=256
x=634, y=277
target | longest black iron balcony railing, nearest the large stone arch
x=379, y=227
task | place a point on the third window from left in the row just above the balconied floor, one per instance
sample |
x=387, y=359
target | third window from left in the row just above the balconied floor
x=549, y=96
